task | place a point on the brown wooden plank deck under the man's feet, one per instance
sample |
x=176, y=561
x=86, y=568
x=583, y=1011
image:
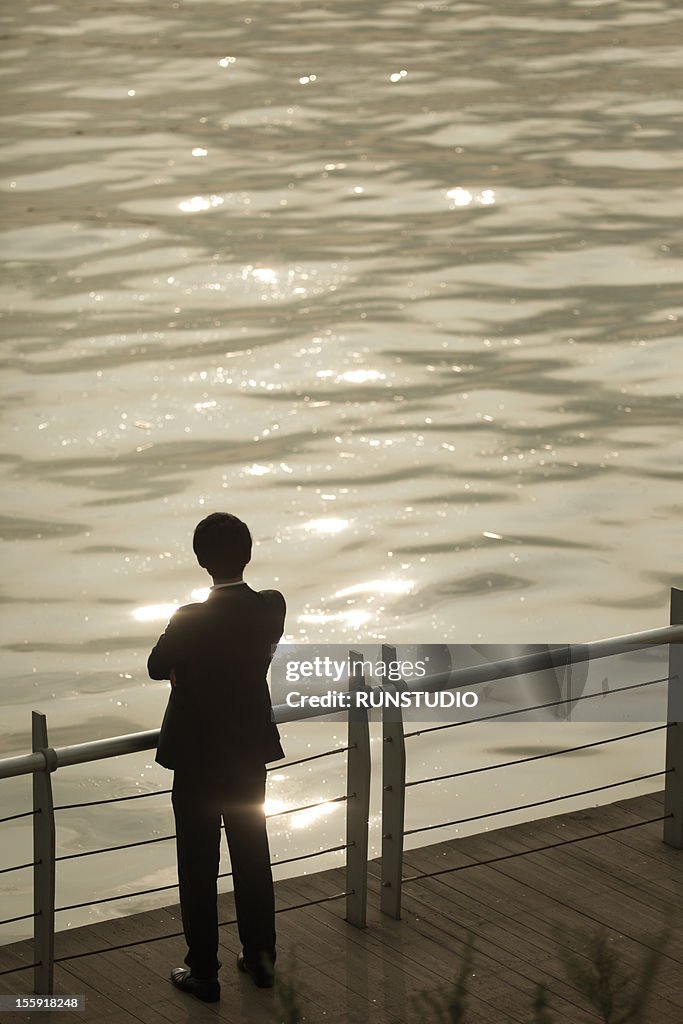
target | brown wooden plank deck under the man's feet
x=521, y=911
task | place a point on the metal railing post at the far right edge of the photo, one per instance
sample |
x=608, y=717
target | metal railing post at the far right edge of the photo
x=673, y=797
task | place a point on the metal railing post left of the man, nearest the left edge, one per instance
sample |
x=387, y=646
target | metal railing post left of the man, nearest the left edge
x=44, y=856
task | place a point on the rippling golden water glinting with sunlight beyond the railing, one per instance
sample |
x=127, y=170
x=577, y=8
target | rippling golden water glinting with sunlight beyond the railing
x=399, y=283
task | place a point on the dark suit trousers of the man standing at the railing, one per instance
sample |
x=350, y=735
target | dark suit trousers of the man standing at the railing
x=200, y=805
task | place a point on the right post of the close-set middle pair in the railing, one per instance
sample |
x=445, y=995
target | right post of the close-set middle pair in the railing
x=394, y=797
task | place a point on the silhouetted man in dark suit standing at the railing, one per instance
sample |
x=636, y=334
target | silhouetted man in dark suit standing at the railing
x=218, y=736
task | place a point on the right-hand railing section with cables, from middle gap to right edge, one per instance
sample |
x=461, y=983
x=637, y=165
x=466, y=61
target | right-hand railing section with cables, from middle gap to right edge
x=395, y=785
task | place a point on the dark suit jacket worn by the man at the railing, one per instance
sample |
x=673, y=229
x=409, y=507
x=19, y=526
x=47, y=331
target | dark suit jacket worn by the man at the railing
x=219, y=719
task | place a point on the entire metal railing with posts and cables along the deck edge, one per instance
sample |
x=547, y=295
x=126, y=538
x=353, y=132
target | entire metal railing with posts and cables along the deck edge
x=45, y=760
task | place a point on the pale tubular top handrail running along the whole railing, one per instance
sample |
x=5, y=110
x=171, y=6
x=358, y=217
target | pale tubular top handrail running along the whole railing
x=134, y=743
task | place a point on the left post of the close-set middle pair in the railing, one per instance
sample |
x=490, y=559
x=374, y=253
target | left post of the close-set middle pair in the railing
x=358, y=803
